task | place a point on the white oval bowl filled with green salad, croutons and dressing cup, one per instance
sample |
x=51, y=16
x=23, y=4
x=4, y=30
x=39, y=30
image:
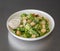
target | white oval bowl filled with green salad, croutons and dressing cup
x=30, y=24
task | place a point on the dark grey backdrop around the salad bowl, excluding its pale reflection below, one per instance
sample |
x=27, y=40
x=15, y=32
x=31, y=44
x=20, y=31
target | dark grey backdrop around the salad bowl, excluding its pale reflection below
x=7, y=7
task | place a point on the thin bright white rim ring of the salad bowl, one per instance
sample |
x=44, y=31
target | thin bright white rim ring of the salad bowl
x=31, y=39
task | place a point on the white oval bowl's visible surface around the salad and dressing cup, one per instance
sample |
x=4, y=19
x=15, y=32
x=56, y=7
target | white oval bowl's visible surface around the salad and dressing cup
x=46, y=15
